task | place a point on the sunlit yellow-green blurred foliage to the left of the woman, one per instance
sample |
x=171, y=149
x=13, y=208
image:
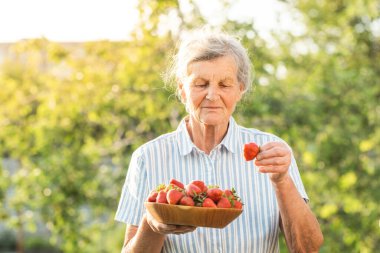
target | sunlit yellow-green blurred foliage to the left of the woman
x=71, y=116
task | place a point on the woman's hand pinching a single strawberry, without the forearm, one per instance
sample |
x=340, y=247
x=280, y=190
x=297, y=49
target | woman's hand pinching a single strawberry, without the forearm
x=274, y=158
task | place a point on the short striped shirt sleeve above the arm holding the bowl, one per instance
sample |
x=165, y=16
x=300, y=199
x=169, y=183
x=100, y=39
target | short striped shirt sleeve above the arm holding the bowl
x=131, y=204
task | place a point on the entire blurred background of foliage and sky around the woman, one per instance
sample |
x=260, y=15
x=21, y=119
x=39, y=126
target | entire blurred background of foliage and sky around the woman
x=81, y=88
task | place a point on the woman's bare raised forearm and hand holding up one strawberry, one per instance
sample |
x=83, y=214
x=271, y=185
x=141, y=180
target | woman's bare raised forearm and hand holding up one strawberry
x=301, y=228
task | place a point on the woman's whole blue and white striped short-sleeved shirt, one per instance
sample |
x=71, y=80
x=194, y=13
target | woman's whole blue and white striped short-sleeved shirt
x=173, y=155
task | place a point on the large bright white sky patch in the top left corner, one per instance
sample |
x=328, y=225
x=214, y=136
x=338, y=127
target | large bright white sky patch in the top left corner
x=67, y=20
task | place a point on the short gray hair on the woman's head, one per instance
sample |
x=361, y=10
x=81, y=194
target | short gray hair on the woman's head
x=203, y=46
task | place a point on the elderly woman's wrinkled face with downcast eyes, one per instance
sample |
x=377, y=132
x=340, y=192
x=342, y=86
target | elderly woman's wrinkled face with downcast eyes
x=211, y=90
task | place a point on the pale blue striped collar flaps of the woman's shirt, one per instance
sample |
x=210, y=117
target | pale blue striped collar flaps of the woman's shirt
x=230, y=141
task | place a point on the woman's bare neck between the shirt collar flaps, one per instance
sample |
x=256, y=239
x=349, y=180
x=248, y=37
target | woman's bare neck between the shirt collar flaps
x=205, y=137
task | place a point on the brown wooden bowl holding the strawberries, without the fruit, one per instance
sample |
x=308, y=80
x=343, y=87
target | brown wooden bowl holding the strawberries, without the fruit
x=192, y=216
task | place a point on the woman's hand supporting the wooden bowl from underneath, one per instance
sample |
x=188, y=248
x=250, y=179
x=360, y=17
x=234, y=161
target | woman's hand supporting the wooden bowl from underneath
x=166, y=229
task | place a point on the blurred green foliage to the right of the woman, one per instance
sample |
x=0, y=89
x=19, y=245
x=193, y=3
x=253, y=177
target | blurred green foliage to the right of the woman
x=327, y=108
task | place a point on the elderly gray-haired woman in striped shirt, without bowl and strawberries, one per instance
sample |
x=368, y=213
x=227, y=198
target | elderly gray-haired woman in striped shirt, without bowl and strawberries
x=212, y=72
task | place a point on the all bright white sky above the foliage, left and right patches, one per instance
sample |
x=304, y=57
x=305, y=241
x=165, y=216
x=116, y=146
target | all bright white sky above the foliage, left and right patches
x=83, y=20
